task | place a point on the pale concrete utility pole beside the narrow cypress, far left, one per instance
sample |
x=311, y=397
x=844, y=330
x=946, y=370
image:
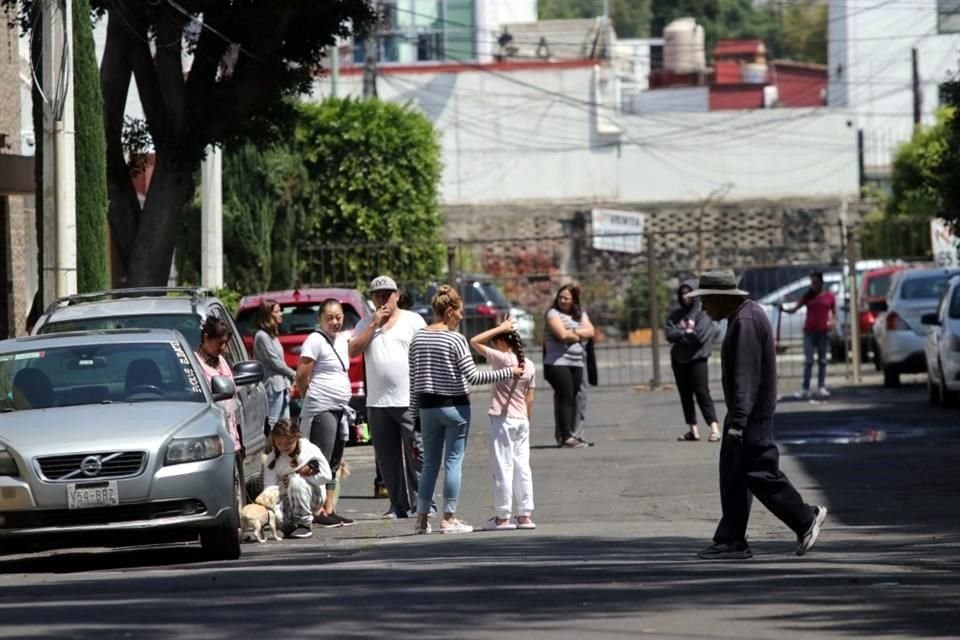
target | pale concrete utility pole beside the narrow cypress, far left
x=59, y=179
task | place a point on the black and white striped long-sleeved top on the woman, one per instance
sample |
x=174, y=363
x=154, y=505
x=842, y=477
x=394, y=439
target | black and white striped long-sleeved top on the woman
x=441, y=365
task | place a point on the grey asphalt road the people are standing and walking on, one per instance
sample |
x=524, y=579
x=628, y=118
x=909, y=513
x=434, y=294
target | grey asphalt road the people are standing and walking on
x=614, y=554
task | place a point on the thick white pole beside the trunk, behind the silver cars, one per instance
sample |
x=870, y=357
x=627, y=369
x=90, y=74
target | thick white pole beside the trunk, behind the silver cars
x=211, y=219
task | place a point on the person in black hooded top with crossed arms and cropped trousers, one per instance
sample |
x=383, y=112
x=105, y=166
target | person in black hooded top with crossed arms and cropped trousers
x=692, y=333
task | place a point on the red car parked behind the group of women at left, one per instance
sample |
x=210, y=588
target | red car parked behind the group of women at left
x=301, y=308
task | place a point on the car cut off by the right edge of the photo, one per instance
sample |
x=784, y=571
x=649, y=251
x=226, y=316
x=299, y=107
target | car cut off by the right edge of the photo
x=943, y=347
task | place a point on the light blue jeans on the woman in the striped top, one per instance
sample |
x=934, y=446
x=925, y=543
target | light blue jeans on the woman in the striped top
x=444, y=433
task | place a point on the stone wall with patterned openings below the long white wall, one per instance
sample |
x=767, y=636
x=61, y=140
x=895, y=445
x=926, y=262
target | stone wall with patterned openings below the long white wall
x=532, y=248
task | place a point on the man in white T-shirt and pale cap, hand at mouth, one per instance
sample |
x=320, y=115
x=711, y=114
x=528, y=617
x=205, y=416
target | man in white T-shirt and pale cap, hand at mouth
x=384, y=339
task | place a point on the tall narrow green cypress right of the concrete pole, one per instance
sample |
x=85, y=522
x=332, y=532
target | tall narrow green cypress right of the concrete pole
x=91, y=157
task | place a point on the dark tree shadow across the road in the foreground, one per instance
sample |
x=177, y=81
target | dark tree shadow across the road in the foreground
x=492, y=581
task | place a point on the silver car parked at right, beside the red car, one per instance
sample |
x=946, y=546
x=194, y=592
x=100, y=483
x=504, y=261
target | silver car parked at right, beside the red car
x=901, y=336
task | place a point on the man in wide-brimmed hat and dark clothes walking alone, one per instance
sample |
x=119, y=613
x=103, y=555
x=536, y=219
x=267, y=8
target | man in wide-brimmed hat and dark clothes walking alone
x=749, y=458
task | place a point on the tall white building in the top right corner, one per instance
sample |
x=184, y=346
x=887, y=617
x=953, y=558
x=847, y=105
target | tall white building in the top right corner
x=871, y=72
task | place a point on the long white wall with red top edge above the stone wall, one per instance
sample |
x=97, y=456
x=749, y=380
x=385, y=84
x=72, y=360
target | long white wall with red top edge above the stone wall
x=531, y=135
